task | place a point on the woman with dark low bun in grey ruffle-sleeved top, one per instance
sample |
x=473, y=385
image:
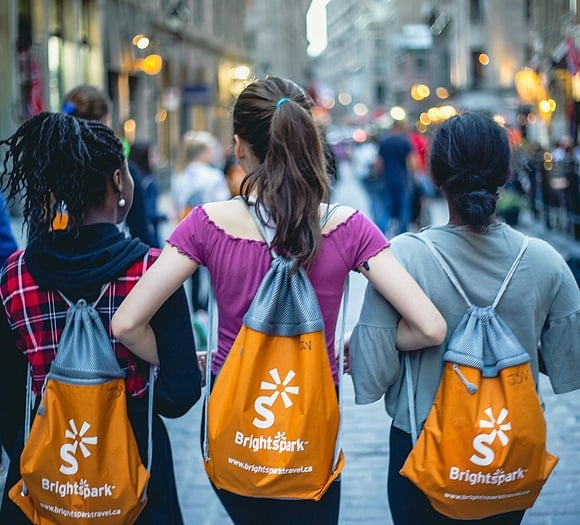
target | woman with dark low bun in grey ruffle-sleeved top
x=470, y=160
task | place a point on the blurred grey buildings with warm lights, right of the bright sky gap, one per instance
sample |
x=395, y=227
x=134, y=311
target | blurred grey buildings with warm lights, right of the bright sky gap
x=468, y=55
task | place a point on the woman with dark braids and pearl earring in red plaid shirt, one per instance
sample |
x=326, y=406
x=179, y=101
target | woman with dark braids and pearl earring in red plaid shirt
x=55, y=160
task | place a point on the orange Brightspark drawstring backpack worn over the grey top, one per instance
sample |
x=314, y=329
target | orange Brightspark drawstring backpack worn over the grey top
x=482, y=450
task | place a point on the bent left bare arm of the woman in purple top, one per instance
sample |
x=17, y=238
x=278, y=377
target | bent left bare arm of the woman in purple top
x=131, y=322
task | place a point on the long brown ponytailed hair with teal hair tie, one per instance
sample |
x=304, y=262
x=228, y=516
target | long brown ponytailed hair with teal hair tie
x=274, y=117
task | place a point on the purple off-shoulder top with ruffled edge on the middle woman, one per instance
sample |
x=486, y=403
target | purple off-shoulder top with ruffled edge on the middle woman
x=237, y=266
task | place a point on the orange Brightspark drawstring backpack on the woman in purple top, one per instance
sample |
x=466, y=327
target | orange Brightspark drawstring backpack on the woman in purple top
x=272, y=420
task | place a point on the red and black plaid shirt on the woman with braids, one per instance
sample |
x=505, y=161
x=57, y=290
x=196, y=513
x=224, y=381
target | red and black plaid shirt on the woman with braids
x=37, y=318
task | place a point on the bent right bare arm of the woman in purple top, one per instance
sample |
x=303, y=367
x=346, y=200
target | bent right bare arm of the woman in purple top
x=421, y=325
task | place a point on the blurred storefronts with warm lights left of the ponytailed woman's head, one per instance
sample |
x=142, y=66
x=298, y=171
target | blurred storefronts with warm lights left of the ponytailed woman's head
x=168, y=65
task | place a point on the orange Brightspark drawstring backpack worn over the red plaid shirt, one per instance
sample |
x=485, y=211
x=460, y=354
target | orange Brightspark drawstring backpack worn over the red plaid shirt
x=80, y=463
